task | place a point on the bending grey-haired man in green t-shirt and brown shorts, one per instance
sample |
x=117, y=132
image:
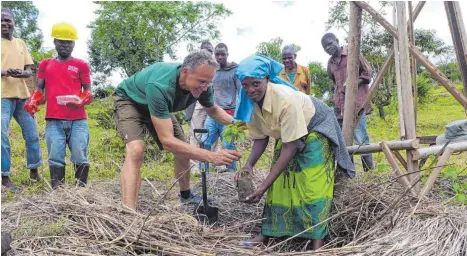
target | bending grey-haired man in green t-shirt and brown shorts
x=145, y=101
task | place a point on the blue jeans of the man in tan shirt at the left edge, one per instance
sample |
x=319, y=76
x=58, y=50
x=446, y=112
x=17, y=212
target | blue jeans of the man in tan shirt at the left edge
x=15, y=108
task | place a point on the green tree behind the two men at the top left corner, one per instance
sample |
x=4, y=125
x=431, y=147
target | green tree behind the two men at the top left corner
x=26, y=15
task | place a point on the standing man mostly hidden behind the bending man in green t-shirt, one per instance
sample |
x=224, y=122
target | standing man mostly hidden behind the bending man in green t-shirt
x=197, y=115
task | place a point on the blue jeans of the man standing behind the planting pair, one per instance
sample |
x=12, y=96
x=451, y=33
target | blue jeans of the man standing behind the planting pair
x=215, y=130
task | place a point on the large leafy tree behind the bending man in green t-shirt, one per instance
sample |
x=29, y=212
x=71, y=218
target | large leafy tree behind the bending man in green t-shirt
x=132, y=35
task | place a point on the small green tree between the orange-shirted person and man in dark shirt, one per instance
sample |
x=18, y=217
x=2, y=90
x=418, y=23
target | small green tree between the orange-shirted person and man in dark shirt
x=322, y=85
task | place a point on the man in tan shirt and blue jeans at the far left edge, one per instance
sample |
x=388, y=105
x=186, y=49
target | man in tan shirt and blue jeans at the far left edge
x=16, y=65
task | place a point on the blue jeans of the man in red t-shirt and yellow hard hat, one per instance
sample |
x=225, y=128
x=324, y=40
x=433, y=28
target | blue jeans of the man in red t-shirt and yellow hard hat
x=59, y=133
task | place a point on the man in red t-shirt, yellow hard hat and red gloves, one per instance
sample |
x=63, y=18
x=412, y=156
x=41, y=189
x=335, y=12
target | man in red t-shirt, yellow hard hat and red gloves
x=67, y=85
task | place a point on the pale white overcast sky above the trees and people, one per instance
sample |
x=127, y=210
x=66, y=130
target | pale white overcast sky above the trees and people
x=252, y=22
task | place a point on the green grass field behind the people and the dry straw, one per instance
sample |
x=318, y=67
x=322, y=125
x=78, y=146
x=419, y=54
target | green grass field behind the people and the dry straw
x=106, y=149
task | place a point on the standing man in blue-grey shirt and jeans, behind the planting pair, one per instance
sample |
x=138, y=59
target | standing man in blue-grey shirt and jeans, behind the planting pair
x=226, y=87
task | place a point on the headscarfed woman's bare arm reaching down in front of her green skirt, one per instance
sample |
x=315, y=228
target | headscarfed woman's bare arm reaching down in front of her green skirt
x=288, y=151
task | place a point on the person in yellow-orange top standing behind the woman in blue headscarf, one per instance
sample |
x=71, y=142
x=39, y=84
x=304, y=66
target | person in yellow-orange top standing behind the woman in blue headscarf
x=297, y=75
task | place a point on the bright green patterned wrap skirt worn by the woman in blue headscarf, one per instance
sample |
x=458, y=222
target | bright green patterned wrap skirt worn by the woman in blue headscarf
x=300, y=198
